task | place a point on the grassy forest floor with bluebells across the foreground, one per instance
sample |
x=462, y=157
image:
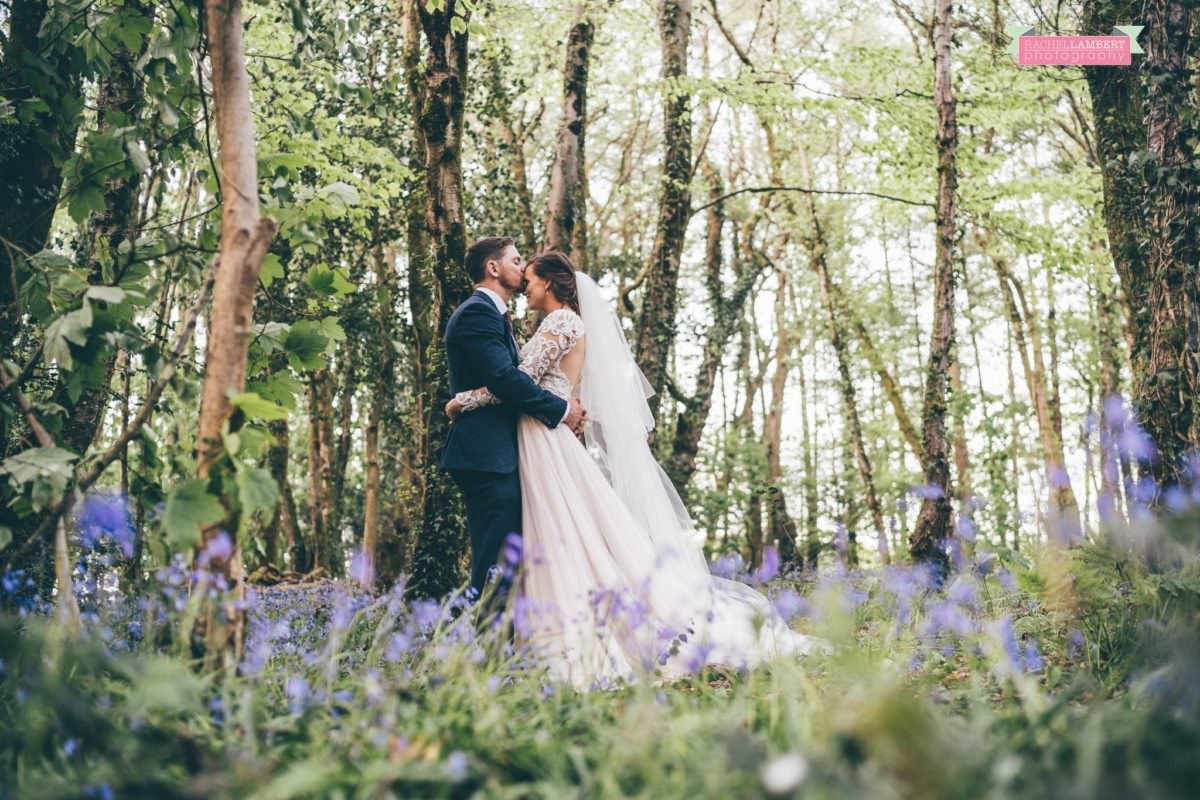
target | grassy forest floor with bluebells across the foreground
x=1046, y=673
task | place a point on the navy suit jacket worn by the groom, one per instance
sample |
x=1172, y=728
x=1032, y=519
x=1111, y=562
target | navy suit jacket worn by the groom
x=482, y=353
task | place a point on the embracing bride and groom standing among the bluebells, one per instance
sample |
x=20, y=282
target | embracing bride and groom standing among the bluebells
x=549, y=444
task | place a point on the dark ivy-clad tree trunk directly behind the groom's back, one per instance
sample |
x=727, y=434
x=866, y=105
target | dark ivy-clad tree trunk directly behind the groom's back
x=442, y=545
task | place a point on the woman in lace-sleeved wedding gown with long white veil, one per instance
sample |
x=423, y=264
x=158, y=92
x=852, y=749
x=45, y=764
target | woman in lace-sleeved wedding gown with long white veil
x=614, y=579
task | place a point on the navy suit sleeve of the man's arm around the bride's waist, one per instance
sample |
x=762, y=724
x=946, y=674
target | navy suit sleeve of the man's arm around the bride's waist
x=490, y=358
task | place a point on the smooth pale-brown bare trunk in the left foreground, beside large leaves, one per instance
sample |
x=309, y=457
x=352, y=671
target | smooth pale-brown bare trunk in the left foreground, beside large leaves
x=245, y=237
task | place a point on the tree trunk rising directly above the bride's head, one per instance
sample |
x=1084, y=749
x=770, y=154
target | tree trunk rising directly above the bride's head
x=567, y=208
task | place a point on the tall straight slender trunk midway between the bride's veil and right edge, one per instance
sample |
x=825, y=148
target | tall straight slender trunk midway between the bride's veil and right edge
x=934, y=521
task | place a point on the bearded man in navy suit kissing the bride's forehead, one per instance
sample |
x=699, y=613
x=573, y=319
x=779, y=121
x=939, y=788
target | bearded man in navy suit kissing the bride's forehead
x=481, y=452
